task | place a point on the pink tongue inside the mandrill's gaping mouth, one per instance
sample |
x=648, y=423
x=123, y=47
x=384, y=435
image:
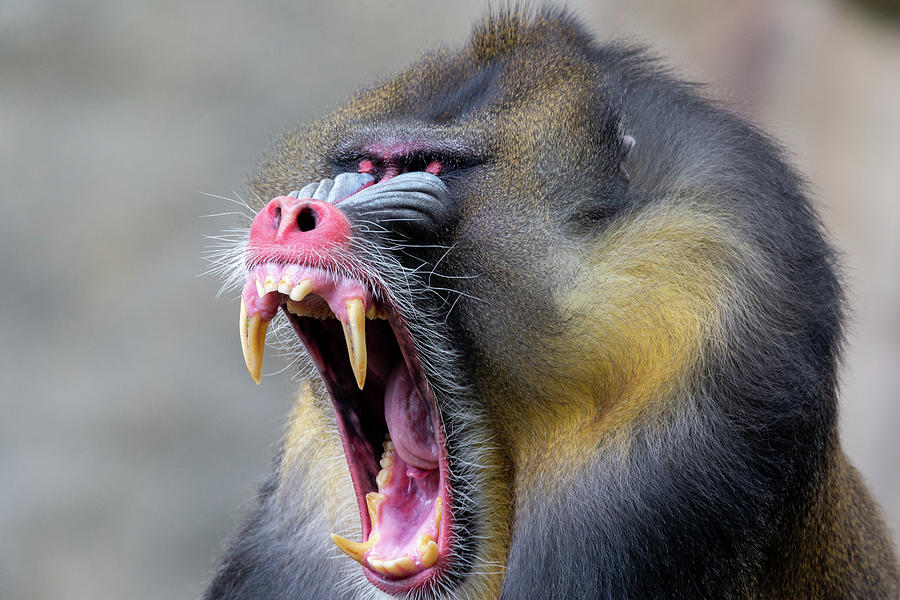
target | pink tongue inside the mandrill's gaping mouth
x=409, y=421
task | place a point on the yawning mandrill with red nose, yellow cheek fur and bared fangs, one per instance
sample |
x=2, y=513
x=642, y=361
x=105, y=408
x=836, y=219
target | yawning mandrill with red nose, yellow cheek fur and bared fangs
x=567, y=330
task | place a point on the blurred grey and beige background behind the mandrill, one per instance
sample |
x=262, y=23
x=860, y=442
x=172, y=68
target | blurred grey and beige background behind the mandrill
x=132, y=438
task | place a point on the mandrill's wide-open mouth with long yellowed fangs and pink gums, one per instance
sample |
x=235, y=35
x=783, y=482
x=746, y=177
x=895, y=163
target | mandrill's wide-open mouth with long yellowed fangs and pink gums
x=386, y=412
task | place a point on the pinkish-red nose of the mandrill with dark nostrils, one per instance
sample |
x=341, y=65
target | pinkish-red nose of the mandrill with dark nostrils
x=298, y=226
